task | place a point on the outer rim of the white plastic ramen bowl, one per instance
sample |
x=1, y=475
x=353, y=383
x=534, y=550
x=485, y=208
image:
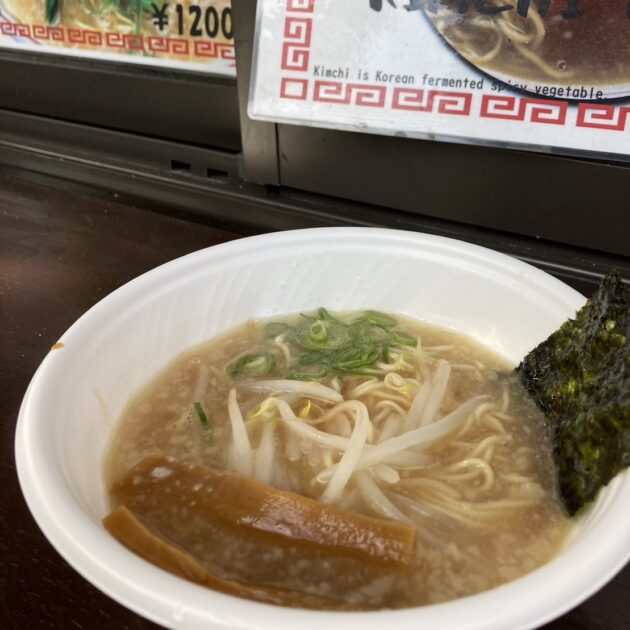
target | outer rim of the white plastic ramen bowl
x=202, y=606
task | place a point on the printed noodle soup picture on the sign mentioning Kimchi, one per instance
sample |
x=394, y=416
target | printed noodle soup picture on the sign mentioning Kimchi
x=563, y=42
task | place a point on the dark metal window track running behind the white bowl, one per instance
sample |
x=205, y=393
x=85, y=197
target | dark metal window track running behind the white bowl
x=205, y=184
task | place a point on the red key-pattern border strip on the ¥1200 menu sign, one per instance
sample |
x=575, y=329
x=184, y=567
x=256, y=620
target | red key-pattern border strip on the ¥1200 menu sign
x=118, y=41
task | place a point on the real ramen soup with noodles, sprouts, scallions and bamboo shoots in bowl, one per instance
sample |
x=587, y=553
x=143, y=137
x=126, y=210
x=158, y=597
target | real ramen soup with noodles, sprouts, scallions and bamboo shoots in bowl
x=352, y=461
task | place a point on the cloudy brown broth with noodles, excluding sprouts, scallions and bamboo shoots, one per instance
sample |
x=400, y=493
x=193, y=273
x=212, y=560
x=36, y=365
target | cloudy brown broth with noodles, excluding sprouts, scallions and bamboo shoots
x=482, y=498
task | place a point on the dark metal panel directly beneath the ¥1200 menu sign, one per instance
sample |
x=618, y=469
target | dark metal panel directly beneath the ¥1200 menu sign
x=189, y=107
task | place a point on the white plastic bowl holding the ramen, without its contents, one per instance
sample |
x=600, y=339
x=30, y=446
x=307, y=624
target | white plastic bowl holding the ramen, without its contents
x=79, y=391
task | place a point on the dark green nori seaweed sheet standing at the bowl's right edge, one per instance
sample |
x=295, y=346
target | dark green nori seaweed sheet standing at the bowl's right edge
x=580, y=378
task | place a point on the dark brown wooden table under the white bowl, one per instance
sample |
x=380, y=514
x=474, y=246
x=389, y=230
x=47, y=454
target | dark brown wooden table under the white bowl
x=62, y=249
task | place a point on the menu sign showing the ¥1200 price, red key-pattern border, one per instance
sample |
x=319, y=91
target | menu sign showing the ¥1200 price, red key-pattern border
x=186, y=34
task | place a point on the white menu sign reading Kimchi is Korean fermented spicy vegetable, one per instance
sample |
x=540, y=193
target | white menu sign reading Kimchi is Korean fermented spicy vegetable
x=550, y=75
